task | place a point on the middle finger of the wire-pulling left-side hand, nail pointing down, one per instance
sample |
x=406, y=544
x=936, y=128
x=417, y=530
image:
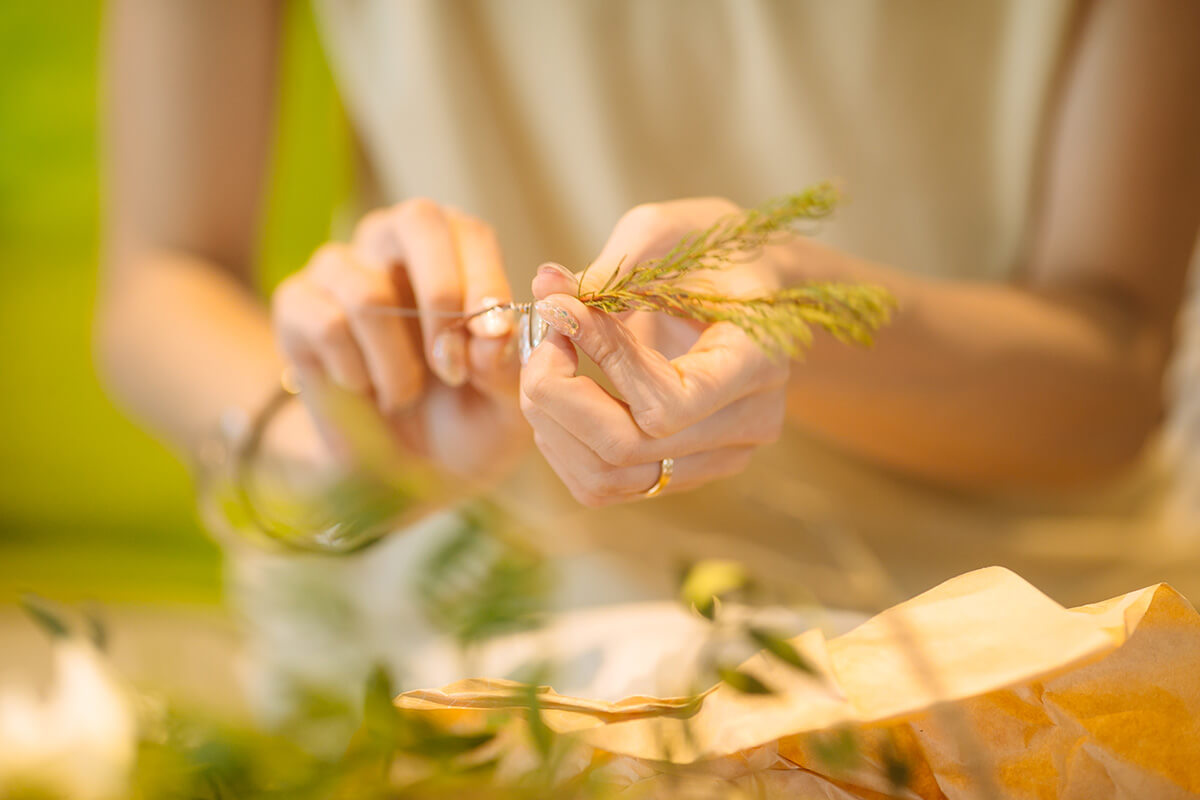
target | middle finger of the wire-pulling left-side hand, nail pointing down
x=416, y=239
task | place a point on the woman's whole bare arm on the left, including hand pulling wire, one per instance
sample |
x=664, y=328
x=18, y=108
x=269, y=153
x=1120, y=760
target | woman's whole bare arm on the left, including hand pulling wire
x=182, y=336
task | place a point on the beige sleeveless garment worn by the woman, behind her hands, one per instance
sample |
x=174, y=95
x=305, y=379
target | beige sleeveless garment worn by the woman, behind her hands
x=550, y=118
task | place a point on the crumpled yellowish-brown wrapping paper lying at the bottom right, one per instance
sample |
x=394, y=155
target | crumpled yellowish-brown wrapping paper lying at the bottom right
x=983, y=687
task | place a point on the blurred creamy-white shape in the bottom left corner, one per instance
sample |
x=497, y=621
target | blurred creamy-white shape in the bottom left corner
x=80, y=742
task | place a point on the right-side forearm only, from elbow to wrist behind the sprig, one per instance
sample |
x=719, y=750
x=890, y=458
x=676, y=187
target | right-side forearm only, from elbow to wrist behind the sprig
x=986, y=384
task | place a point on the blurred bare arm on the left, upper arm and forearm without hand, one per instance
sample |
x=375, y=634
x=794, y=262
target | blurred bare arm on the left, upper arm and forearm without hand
x=190, y=91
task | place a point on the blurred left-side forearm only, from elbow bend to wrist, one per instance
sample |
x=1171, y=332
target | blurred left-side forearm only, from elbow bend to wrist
x=181, y=342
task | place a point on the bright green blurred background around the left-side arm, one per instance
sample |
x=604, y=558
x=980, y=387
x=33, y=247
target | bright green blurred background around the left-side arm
x=91, y=507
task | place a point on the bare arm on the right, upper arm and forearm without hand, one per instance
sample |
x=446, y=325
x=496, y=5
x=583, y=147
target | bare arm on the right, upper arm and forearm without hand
x=1057, y=378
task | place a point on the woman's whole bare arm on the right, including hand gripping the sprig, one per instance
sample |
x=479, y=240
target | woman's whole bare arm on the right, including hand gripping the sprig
x=1051, y=381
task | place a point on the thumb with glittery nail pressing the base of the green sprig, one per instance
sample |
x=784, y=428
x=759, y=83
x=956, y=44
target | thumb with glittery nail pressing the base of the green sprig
x=644, y=377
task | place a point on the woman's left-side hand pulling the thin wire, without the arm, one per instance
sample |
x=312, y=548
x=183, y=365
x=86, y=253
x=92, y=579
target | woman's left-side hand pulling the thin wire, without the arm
x=447, y=392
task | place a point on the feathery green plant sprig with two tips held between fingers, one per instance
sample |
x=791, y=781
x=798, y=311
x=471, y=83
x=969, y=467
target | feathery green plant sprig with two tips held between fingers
x=781, y=322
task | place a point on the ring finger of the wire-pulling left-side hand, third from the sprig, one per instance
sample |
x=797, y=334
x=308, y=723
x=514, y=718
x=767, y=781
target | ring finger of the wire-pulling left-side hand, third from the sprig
x=393, y=360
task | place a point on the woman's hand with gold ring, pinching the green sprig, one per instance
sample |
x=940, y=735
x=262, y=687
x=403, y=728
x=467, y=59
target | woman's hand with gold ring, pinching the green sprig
x=709, y=408
